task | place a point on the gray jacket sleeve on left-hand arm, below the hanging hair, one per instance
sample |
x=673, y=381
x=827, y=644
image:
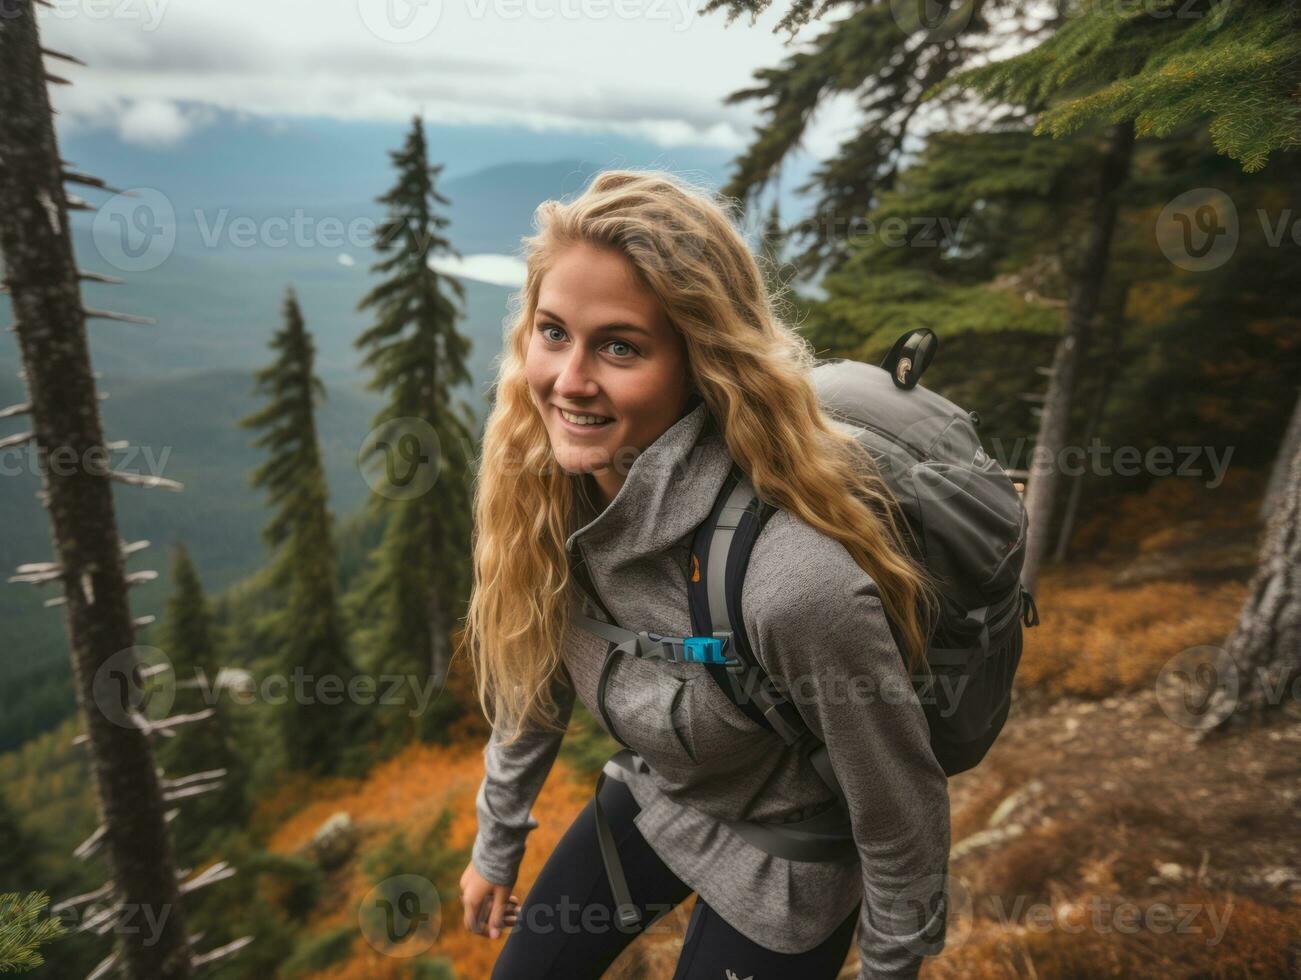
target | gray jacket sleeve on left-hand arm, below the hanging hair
x=513, y=778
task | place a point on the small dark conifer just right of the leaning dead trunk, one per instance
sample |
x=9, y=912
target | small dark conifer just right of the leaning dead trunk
x=210, y=745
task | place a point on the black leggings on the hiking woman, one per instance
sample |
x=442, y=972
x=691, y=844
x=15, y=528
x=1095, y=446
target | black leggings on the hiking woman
x=568, y=930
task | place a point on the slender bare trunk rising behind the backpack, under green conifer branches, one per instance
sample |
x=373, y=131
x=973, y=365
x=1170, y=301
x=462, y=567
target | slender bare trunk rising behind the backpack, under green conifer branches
x=1082, y=306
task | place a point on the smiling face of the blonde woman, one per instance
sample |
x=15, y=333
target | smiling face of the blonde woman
x=602, y=346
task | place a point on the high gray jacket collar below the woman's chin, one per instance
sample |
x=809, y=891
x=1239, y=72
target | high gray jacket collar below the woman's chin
x=671, y=490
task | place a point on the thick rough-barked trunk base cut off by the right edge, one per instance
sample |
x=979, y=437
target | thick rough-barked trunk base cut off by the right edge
x=1265, y=647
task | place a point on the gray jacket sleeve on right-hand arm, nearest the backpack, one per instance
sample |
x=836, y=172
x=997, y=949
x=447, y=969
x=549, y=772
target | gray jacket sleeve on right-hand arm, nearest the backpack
x=823, y=637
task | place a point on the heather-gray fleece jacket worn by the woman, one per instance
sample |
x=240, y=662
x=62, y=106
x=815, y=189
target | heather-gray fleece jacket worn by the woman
x=816, y=624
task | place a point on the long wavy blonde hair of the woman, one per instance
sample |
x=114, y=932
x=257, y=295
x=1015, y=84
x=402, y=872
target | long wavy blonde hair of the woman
x=753, y=372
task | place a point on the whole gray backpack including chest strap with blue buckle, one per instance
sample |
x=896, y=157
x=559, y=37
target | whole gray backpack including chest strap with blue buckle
x=966, y=524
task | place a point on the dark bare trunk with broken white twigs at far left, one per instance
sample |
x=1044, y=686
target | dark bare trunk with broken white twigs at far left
x=44, y=283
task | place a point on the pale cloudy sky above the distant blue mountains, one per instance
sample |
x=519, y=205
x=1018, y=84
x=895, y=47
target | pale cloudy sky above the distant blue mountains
x=650, y=70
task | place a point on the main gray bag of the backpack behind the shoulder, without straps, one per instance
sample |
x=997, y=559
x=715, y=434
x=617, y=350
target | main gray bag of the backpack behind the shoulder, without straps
x=969, y=529
